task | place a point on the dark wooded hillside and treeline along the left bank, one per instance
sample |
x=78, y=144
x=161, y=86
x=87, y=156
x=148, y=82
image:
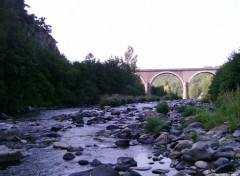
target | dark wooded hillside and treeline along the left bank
x=34, y=73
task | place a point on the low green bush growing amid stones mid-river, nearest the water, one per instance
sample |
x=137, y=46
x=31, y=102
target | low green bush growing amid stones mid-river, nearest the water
x=154, y=125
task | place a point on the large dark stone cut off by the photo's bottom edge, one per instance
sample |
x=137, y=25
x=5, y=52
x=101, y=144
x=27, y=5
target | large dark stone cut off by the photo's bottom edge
x=101, y=170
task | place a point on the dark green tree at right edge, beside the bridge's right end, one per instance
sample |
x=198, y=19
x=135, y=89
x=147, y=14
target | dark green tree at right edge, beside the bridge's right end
x=227, y=77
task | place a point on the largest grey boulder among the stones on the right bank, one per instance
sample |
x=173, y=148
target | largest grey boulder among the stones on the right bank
x=199, y=151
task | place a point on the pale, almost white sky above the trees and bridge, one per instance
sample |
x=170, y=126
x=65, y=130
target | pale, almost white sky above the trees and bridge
x=164, y=33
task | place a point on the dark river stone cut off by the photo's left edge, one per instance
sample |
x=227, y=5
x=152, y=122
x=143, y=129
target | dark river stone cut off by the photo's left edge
x=9, y=155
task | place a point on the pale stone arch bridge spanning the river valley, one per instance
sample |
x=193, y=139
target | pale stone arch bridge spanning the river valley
x=184, y=74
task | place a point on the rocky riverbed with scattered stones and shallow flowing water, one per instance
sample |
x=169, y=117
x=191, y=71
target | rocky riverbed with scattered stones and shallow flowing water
x=111, y=142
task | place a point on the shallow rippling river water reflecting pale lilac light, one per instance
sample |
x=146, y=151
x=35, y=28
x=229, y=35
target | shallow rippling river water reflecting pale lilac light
x=44, y=160
